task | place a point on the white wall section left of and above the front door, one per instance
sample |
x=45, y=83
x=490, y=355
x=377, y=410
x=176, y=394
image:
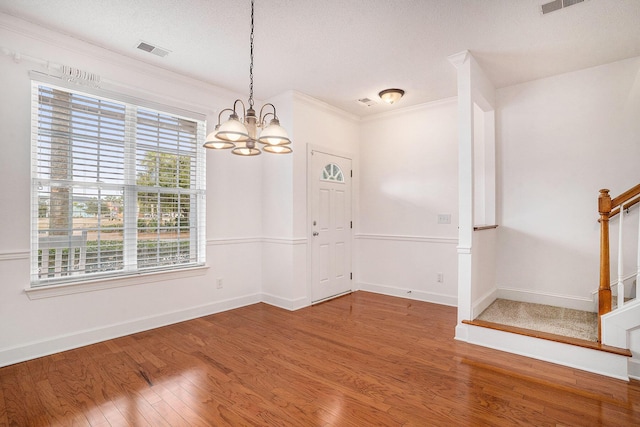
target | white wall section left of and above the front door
x=286, y=257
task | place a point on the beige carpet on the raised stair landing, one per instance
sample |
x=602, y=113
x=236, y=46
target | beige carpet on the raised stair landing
x=538, y=317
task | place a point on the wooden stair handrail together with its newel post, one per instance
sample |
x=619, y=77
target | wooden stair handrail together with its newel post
x=608, y=208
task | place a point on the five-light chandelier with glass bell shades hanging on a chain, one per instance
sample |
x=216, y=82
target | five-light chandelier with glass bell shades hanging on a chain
x=241, y=135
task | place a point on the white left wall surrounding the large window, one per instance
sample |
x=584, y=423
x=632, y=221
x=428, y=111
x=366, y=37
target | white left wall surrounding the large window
x=30, y=328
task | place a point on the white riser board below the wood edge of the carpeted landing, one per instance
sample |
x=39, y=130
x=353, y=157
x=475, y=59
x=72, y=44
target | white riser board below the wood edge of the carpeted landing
x=598, y=362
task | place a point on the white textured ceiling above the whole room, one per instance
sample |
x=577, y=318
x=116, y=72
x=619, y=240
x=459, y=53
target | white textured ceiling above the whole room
x=341, y=50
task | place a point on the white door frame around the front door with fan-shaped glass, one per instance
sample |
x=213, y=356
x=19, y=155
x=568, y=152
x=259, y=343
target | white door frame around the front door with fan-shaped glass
x=310, y=176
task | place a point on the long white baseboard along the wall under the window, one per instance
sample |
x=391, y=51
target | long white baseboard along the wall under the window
x=37, y=349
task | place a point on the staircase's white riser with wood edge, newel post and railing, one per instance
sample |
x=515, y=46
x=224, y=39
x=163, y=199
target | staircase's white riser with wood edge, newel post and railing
x=610, y=355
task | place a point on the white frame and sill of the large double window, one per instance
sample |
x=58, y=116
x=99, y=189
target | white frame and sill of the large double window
x=120, y=277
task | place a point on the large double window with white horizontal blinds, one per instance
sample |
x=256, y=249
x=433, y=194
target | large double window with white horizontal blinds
x=117, y=188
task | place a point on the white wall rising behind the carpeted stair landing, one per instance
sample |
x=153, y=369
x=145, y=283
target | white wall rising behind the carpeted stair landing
x=560, y=140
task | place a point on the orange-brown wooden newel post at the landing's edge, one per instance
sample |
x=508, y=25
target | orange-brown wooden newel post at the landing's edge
x=604, y=291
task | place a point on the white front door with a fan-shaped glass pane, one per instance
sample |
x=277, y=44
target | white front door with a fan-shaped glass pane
x=330, y=225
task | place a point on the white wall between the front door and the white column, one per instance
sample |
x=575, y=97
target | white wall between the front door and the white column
x=408, y=175
